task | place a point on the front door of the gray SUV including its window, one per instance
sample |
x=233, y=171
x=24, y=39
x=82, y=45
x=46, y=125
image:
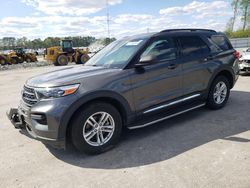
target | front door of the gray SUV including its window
x=159, y=82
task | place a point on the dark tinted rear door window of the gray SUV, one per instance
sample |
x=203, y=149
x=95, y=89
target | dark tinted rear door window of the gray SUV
x=193, y=46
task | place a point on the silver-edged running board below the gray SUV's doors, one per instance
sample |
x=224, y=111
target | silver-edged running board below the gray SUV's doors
x=167, y=117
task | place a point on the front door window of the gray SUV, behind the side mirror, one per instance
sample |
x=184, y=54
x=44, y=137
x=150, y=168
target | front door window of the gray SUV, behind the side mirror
x=162, y=49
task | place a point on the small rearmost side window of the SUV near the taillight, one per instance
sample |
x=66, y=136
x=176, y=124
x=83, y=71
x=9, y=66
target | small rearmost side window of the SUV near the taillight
x=220, y=42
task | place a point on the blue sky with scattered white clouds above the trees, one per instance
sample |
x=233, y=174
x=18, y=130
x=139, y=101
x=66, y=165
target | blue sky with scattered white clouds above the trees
x=61, y=18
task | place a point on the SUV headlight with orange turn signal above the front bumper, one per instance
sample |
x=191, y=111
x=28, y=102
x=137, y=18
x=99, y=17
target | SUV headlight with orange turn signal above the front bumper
x=55, y=92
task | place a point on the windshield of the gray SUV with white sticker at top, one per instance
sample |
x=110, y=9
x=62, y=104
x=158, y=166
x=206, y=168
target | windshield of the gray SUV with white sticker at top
x=117, y=54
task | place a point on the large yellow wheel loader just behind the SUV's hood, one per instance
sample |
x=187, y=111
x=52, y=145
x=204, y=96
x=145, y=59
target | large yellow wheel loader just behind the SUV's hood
x=64, y=54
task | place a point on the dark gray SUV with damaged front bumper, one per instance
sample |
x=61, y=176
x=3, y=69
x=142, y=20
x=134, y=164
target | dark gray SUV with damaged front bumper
x=132, y=83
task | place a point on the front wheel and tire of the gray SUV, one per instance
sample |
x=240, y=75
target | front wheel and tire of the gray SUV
x=84, y=130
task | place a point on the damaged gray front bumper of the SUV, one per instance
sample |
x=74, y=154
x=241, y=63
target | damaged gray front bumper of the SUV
x=42, y=121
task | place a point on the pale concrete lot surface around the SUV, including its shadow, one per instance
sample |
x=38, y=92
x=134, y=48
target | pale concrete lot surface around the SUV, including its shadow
x=202, y=148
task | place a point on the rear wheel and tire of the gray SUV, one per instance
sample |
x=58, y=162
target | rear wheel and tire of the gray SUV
x=218, y=97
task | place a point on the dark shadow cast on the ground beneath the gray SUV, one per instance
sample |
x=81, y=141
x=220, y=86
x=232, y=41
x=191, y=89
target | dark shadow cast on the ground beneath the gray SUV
x=170, y=138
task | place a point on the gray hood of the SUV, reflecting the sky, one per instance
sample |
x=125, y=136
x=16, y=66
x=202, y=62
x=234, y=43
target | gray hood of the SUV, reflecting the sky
x=66, y=76
